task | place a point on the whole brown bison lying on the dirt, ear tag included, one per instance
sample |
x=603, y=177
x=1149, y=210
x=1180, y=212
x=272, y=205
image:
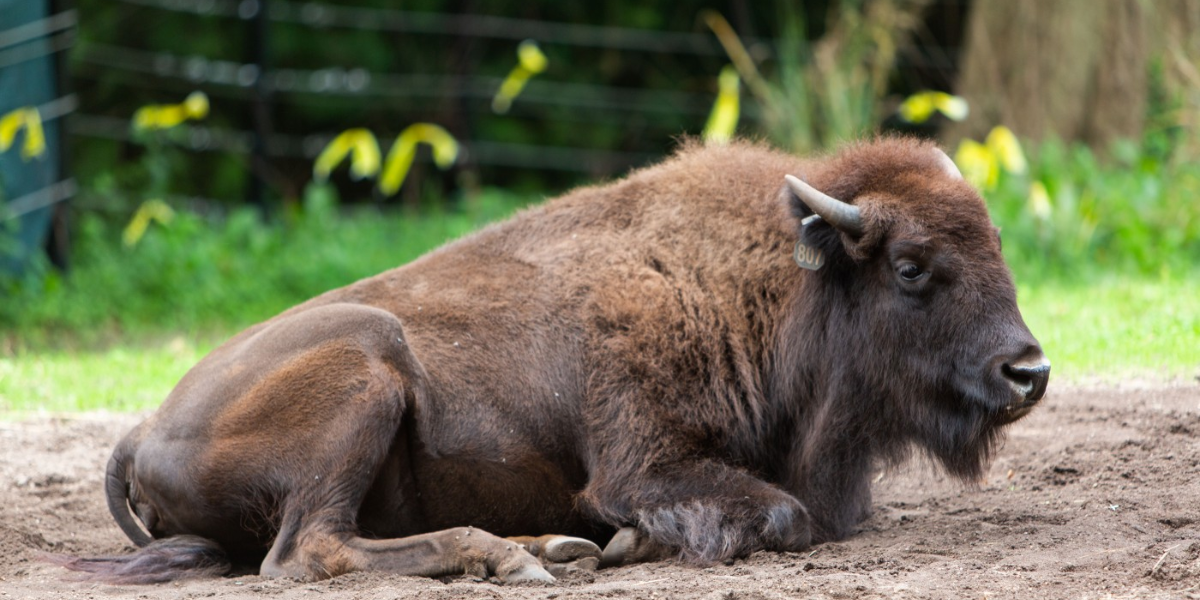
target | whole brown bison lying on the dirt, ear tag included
x=699, y=361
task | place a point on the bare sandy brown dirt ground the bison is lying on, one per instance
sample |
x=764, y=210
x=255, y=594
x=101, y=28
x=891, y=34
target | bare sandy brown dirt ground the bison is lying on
x=1096, y=495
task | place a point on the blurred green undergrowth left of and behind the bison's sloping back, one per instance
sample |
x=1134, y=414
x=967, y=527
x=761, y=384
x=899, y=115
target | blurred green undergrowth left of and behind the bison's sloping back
x=223, y=273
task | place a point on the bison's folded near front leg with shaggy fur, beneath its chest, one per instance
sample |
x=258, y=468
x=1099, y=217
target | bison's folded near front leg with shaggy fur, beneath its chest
x=701, y=512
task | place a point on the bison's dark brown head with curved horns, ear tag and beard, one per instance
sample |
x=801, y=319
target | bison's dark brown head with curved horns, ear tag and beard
x=917, y=292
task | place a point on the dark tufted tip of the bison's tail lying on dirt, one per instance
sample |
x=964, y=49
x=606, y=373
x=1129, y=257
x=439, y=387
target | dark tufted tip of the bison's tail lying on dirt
x=173, y=559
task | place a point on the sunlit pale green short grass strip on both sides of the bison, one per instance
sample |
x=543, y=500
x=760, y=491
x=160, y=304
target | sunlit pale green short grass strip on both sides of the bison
x=1107, y=332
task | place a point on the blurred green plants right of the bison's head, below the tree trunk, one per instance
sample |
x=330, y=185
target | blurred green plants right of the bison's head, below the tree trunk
x=1135, y=217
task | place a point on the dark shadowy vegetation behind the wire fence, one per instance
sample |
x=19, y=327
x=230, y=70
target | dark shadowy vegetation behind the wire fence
x=626, y=80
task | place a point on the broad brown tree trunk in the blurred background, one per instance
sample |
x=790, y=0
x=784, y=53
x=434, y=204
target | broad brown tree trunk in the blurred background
x=1076, y=70
